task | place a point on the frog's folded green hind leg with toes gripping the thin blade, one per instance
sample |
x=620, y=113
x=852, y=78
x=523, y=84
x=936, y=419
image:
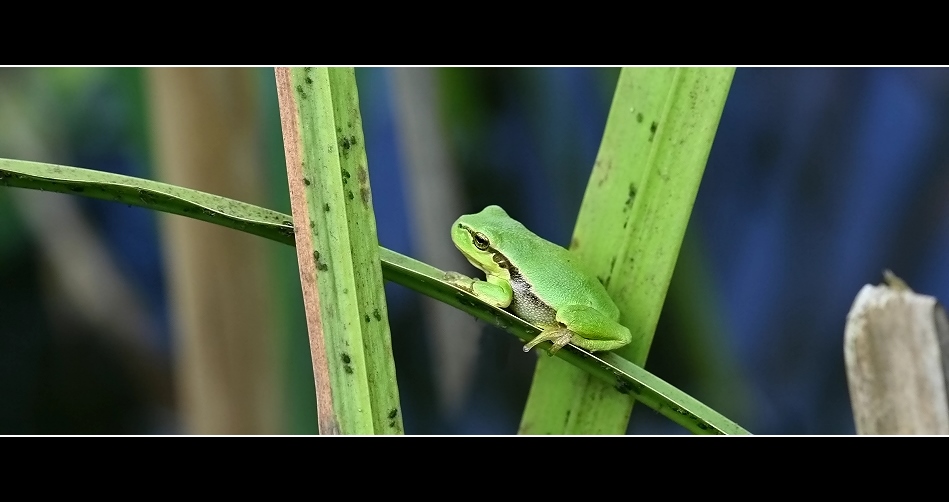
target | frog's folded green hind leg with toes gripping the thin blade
x=584, y=327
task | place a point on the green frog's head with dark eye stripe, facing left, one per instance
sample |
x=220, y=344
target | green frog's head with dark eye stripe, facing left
x=481, y=238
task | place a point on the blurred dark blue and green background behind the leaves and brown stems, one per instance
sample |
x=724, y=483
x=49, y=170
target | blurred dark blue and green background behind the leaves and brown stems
x=819, y=178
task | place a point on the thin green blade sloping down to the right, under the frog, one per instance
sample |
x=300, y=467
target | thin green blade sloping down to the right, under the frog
x=624, y=376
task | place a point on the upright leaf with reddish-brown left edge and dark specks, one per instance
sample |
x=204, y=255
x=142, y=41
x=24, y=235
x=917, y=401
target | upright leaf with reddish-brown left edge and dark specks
x=337, y=252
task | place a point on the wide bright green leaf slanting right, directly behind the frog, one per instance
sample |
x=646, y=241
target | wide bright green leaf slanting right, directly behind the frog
x=634, y=215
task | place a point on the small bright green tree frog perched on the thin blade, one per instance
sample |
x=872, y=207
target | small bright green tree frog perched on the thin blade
x=538, y=281
